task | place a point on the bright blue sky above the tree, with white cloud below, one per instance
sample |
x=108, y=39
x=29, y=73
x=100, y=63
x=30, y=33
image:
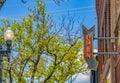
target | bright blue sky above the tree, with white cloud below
x=85, y=9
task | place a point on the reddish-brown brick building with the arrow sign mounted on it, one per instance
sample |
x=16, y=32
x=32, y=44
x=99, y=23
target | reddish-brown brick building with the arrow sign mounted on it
x=108, y=13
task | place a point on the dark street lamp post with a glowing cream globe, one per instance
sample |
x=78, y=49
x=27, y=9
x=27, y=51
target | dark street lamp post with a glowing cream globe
x=8, y=36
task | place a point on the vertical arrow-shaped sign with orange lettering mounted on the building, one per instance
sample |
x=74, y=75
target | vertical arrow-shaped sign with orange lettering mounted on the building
x=88, y=47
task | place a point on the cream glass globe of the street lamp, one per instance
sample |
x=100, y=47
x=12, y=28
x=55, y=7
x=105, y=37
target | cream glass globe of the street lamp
x=8, y=35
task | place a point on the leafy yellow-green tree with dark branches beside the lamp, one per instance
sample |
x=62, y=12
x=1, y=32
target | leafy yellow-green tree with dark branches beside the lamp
x=40, y=51
